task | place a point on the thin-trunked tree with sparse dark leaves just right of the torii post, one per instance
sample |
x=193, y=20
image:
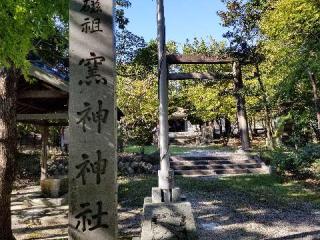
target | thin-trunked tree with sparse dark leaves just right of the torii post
x=242, y=20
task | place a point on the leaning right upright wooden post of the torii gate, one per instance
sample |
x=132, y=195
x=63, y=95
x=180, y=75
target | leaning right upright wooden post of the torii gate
x=241, y=107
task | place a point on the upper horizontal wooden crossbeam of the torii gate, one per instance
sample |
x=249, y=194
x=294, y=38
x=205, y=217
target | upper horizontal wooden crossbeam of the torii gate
x=198, y=59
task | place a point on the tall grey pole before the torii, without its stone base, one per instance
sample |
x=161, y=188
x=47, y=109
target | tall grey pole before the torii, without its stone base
x=165, y=174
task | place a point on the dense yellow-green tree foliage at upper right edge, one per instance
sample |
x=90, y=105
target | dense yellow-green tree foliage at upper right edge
x=292, y=48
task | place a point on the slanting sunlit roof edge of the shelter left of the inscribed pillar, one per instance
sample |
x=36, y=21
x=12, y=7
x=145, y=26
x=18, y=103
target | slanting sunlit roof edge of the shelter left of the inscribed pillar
x=49, y=78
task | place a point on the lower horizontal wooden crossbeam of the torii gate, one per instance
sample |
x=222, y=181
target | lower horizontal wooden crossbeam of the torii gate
x=201, y=76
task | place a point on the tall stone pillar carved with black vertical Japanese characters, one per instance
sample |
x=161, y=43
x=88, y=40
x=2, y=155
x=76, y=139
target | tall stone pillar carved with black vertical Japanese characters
x=92, y=174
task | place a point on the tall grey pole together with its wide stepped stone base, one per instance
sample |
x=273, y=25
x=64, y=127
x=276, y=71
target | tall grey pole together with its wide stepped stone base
x=164, y=215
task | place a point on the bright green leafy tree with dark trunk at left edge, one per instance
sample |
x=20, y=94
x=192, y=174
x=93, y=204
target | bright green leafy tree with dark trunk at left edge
x=22, y=21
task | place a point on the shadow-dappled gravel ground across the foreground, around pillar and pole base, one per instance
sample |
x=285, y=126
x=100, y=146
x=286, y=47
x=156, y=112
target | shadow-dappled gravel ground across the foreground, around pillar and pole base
x=226, y=215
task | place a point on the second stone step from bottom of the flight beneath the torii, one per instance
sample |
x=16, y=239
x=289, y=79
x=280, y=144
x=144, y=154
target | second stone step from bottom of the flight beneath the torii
x=180, y=166
